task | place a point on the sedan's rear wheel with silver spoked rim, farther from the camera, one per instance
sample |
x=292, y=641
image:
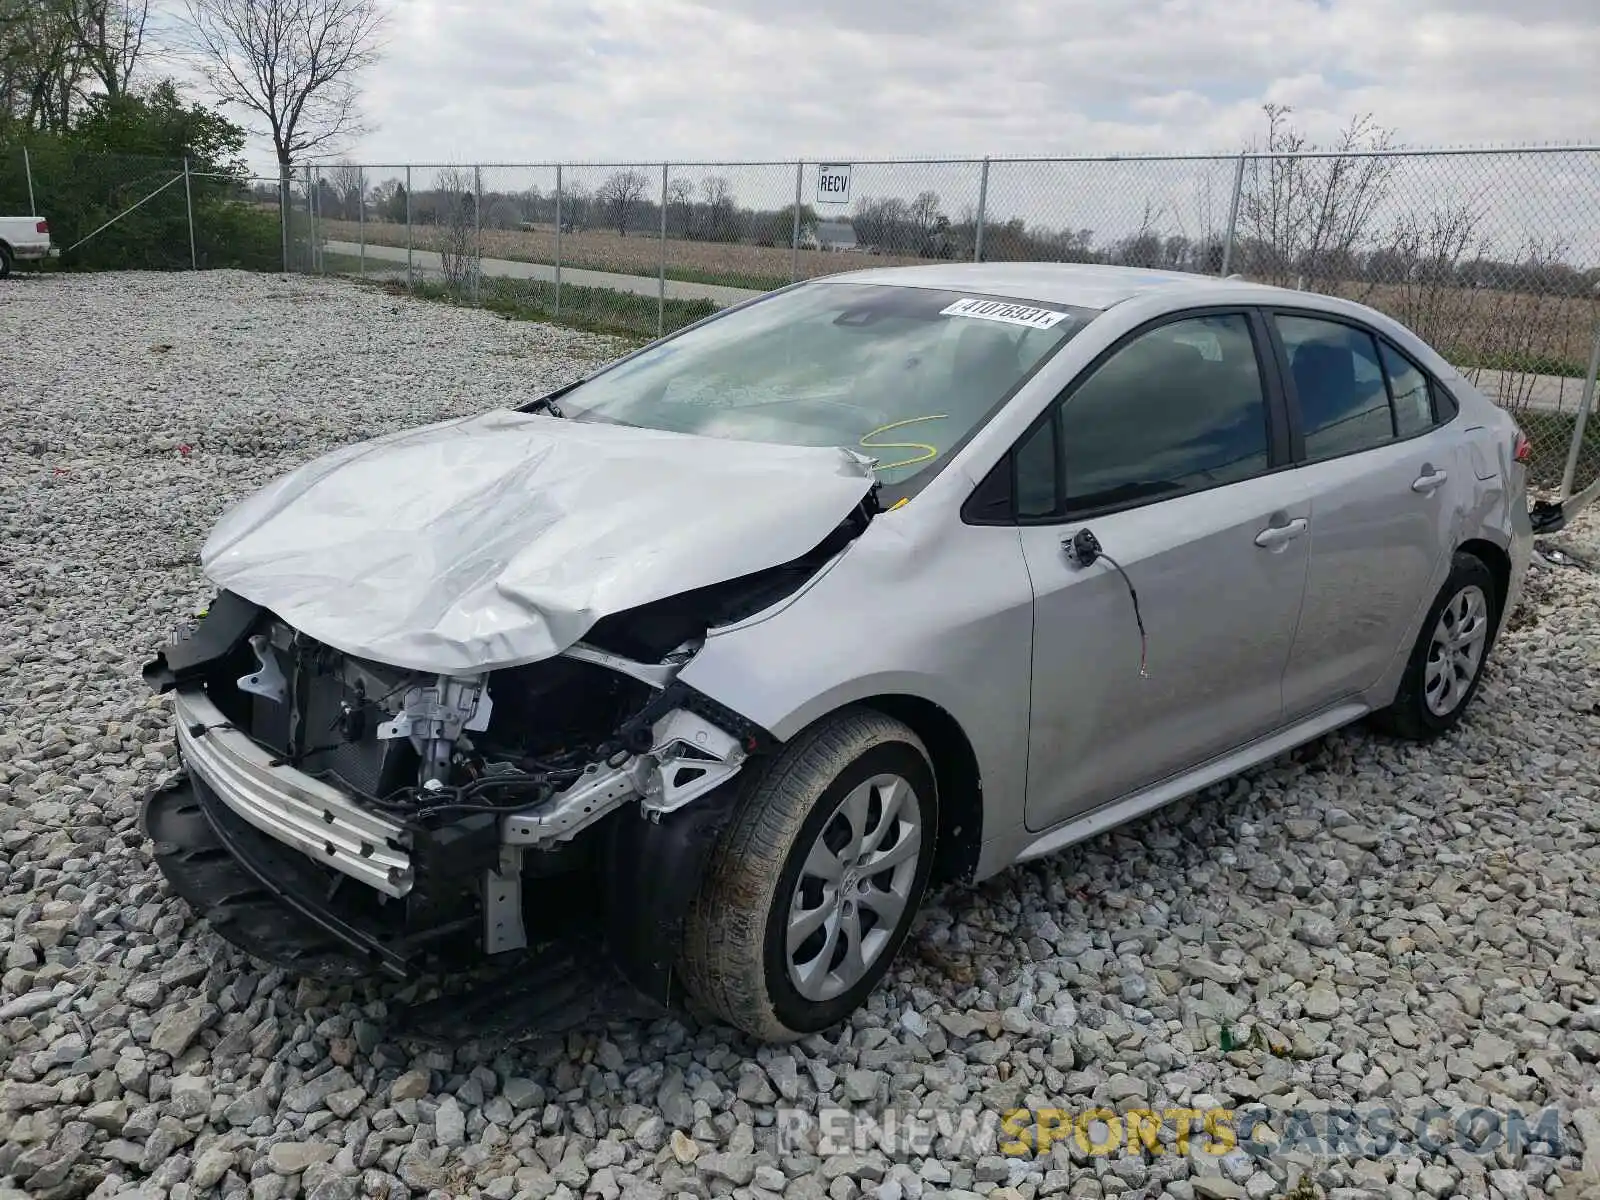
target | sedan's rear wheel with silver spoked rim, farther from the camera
x=1447, y=662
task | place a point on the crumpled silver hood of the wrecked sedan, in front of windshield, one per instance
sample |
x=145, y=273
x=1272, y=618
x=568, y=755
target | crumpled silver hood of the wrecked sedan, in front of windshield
x=502, y=538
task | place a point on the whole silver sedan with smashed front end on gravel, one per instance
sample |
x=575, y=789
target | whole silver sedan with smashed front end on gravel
x=874, y=583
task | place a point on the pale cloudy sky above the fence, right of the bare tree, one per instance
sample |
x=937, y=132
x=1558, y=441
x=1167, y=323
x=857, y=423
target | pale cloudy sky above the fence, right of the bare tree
x=516, y=81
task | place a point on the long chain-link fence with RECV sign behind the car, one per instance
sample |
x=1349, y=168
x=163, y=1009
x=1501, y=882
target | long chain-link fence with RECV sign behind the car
x=1490, y=255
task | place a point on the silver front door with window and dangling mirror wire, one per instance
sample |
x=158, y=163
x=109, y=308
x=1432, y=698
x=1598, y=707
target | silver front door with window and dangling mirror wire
x=1172, y=450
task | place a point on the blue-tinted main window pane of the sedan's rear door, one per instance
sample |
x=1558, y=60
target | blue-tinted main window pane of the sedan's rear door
x=1340, y=385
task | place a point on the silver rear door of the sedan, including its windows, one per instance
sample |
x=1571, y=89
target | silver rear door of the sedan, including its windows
x=1383, y=473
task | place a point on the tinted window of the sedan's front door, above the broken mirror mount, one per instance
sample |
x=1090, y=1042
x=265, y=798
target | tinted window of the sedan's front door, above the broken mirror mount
x=1178, y=409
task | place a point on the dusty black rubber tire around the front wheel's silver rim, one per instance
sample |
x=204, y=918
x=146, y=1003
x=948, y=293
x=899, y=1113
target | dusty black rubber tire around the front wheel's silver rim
x=735, y=962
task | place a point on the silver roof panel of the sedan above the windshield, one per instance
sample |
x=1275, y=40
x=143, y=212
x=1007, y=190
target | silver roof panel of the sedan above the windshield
x=1074, y=284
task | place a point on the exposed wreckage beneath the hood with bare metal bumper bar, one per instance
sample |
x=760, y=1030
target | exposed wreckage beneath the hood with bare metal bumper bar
x=337, y=815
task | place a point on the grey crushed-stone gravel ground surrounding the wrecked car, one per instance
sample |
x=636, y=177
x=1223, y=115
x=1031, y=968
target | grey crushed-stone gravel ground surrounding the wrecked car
x=1367, y=924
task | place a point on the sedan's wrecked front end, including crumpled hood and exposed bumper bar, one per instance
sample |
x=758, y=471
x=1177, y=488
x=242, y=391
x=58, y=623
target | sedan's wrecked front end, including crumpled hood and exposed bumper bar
x=422, y=722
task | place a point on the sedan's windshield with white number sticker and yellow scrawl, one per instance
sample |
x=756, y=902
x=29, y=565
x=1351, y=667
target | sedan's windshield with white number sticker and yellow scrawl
x=897, y=374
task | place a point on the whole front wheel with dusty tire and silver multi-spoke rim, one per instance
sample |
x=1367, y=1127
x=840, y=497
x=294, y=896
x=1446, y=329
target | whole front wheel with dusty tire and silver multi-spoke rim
x=815, y=884
